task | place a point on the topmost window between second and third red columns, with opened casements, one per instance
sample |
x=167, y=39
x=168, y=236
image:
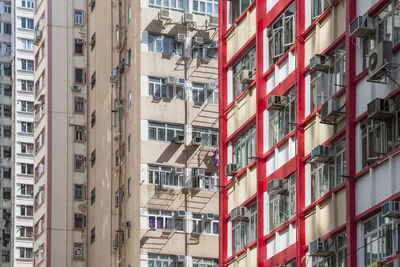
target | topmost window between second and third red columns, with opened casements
x=281, y=34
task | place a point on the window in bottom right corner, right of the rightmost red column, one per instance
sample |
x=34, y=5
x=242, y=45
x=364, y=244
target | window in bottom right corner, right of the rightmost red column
x=381, y=239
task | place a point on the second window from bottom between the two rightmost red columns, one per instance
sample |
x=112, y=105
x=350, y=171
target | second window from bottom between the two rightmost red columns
x=325, y=176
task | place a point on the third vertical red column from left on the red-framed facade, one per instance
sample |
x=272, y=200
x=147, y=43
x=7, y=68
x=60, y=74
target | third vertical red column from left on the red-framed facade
x=300, y=108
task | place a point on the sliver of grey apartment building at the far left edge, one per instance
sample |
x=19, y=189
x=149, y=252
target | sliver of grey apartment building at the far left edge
x=5, y=132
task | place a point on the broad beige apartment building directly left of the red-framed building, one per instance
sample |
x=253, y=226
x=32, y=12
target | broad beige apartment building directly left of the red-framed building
x=152, y=133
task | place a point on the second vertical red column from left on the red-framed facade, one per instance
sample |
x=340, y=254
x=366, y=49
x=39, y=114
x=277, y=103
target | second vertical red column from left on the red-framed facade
x=260, y=102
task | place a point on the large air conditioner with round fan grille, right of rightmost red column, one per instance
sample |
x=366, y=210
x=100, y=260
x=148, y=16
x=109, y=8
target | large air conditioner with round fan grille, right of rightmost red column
x=378, y=60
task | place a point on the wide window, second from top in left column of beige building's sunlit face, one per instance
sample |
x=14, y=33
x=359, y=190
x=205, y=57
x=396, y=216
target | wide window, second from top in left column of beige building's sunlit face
x=164, y=44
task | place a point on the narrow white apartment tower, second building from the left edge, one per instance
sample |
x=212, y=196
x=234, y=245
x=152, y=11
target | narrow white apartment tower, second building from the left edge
x=23, y=143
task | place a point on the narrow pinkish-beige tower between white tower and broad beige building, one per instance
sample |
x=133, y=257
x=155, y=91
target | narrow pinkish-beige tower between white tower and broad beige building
x=60, y=120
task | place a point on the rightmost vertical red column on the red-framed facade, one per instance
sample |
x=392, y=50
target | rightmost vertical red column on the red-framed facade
x=351, y=102
